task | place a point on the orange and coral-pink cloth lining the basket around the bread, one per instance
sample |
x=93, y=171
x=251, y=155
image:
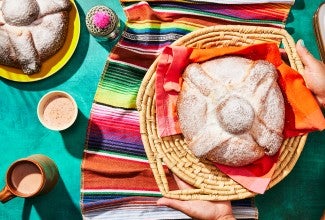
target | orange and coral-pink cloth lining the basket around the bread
x=302, y=113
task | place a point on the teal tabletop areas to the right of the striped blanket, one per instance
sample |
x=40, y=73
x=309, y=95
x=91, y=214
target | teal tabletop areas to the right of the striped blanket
x=301, y=194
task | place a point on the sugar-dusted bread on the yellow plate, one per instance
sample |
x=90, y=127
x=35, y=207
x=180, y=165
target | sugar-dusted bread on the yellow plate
x=31, y=31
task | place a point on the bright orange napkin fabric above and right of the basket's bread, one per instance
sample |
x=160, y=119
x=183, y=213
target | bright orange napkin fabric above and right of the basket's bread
x=303, y=114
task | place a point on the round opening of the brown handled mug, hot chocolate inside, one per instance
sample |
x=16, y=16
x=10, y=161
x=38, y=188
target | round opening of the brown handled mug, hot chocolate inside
x=26, y=178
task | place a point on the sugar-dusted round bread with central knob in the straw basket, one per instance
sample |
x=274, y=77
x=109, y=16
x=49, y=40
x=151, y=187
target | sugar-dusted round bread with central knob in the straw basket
x=231, y=110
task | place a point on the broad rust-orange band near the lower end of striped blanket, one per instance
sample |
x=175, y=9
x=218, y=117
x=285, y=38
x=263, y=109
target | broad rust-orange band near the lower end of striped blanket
x=120, y=173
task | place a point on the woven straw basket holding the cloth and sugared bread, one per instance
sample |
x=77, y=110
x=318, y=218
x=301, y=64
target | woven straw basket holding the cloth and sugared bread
x=209, y=182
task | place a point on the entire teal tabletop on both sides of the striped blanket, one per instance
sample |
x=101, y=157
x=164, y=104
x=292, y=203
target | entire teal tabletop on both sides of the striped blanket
x=299, y=196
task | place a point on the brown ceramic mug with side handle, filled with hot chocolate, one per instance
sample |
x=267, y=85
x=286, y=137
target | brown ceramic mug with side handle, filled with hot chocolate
x=29, y=177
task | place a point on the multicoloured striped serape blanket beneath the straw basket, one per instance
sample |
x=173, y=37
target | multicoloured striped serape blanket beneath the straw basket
x=117, y=182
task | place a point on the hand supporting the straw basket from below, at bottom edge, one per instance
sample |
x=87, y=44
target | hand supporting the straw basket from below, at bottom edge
x=199, y=209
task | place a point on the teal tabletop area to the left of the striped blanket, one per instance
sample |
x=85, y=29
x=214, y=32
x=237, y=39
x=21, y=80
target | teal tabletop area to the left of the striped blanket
x=21, y=134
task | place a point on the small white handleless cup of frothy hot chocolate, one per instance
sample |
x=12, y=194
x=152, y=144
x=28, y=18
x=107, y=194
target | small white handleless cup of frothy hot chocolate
x=57, y=110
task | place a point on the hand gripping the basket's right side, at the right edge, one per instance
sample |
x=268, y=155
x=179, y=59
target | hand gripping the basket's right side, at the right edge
x=314, y=73
